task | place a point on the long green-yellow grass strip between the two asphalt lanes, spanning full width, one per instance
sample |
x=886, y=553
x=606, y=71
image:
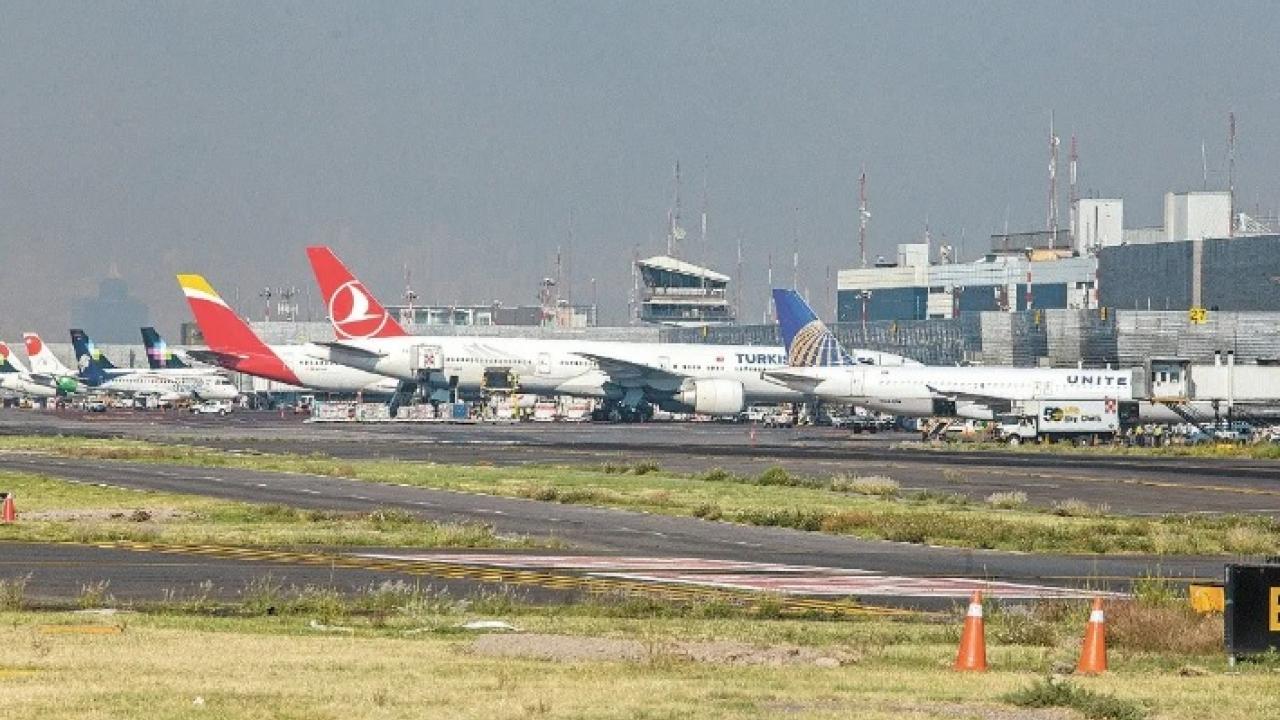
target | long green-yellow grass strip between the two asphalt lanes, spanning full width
x=865, y=508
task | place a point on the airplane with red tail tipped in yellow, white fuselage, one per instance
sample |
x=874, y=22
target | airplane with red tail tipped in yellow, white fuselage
x=234, y=345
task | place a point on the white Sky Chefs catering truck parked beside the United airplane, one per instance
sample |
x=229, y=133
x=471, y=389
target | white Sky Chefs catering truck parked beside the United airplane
x=1084, y=421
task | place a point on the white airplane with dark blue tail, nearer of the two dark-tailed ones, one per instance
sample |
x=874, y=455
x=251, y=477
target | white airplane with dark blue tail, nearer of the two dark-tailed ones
x=167, y=385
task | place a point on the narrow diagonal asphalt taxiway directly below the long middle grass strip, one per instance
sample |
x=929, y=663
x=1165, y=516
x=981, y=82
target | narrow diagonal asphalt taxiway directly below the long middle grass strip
x=596, y=530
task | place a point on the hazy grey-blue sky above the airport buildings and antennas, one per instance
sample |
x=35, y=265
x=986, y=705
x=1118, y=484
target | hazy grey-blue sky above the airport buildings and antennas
x=459, y=138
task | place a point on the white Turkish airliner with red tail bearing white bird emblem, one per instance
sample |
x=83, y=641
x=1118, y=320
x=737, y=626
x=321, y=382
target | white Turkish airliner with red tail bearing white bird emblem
x=629, y=377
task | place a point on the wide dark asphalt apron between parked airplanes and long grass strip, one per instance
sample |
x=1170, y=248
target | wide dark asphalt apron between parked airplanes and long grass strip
x=1136, y=486
